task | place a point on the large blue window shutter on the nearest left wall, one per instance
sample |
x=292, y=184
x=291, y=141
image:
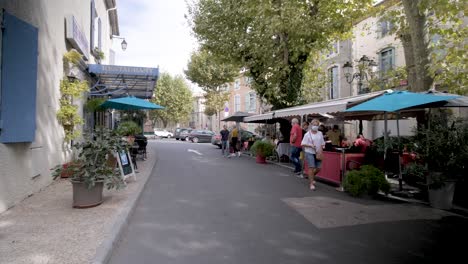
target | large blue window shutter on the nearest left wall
x=19, y=80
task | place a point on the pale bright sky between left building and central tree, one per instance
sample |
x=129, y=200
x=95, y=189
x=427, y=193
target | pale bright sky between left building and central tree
x=157, y=35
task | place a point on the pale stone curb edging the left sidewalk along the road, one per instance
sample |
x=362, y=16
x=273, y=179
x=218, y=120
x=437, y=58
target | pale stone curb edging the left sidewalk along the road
x=104, y=251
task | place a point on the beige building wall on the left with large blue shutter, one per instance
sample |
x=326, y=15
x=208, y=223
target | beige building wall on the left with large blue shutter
x=36, y=34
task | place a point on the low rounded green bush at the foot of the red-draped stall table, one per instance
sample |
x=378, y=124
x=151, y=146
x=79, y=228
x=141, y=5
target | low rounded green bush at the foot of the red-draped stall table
x=367, y=180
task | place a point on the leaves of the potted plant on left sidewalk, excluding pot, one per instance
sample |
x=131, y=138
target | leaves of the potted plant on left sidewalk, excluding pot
x=93, y=163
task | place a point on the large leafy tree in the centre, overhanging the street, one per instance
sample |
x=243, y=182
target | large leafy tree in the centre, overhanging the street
x=272, y=38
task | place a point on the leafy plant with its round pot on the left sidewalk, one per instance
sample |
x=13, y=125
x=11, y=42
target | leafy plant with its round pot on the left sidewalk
x=93, y=168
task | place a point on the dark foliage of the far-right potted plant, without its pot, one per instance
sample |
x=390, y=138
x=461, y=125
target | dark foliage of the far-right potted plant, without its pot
x=442, y=146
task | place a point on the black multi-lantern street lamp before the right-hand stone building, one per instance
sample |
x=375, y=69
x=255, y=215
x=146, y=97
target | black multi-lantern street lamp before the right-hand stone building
x=363, y=64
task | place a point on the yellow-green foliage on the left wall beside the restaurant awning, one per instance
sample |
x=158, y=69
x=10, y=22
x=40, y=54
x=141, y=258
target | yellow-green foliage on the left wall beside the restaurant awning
x=68, y=115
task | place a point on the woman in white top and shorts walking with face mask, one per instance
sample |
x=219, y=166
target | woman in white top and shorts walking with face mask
x=312, y=144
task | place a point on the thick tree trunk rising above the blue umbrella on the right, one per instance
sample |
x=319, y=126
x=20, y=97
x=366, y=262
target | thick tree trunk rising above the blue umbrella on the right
x=420, y=49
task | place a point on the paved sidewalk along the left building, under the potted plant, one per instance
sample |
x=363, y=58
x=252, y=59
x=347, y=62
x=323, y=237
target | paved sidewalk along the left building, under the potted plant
x=44, y=228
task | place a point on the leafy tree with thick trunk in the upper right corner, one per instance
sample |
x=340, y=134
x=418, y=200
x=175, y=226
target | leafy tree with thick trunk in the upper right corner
x=433, y=34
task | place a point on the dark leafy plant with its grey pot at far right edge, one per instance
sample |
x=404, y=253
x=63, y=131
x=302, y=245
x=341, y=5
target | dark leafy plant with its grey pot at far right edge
x=442, y=146
